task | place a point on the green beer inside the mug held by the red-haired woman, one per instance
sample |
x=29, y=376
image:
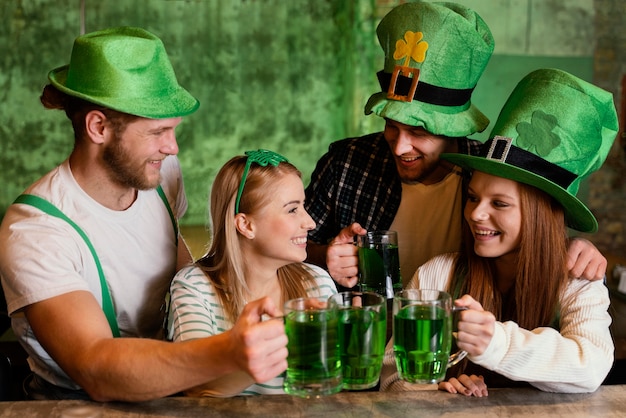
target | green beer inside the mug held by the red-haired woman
x=422, y=342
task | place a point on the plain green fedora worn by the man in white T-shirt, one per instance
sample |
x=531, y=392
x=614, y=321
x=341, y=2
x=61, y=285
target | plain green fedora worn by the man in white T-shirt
x=125, y=69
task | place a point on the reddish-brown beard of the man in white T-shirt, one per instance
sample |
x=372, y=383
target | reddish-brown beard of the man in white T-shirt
x=123, y=169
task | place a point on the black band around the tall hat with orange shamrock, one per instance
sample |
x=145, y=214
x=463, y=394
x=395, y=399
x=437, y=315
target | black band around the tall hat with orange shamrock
x=424, y=92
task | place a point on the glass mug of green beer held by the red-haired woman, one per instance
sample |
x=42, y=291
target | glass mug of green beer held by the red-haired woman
x=422, y=332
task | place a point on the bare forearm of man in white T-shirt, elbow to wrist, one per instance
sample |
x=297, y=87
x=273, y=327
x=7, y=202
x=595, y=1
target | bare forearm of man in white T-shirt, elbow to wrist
x=129, y=369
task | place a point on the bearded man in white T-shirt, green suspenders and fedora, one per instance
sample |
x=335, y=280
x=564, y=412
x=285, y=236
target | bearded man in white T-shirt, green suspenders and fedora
x=90, y=249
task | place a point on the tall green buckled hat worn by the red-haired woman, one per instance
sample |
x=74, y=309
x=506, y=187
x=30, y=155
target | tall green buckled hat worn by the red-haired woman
x=553, y=131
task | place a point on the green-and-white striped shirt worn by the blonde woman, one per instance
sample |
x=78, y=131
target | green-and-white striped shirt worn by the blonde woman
x=196, y=311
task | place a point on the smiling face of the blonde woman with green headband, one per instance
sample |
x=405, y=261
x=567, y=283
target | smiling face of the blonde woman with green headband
x=282, y=224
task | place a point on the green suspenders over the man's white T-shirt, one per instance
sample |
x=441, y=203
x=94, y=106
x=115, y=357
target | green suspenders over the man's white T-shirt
x=50, y=209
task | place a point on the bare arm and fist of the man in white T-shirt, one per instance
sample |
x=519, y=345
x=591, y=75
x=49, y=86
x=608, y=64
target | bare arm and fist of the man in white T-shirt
x=74, y=332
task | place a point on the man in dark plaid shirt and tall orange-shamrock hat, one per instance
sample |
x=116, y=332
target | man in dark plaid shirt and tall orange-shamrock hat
x=435, y=54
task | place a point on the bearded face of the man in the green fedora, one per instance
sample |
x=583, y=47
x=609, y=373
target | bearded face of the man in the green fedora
x=133, y=158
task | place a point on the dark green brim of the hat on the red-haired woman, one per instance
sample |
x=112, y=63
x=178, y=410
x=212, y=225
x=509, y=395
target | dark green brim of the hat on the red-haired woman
x=577, y=215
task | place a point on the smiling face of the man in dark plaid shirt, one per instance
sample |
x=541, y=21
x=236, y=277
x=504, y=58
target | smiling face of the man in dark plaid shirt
x=416, y=152
